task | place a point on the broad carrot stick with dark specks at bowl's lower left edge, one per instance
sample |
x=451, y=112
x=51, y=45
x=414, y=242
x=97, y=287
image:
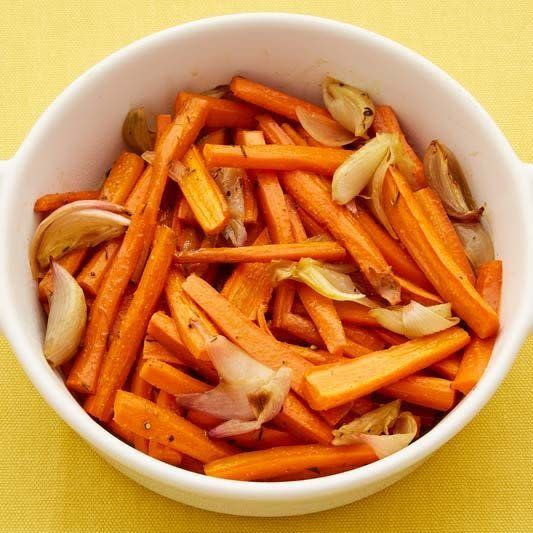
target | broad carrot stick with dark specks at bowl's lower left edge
x=148, y=420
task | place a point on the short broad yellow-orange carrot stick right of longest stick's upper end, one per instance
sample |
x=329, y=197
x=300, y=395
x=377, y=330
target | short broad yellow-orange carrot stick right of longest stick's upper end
x=203, y=195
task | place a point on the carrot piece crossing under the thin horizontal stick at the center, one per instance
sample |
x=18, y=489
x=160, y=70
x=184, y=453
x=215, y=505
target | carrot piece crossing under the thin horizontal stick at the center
x=249, y=287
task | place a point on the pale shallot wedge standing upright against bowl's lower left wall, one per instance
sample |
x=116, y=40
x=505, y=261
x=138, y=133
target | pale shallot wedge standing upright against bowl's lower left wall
x=67, y=317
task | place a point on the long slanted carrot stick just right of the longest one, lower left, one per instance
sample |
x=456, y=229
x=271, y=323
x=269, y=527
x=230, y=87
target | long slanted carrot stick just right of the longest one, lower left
x=123, y=349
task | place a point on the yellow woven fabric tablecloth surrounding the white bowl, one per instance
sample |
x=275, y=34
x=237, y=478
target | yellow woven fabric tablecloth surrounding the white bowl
x=49, y=478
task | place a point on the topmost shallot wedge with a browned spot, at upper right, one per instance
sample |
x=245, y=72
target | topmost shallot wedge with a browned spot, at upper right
x=349, y=106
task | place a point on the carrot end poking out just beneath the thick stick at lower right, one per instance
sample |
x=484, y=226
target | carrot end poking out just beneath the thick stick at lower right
x=426, y=391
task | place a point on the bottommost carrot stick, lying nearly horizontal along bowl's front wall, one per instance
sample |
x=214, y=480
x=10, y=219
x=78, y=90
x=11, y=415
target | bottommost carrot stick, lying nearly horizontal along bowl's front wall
x=265, y=464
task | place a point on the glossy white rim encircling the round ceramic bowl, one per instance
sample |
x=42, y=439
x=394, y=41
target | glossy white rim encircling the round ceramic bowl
x=168, y=475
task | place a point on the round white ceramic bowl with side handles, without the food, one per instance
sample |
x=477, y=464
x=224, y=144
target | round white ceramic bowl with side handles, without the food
x=79, y=135
